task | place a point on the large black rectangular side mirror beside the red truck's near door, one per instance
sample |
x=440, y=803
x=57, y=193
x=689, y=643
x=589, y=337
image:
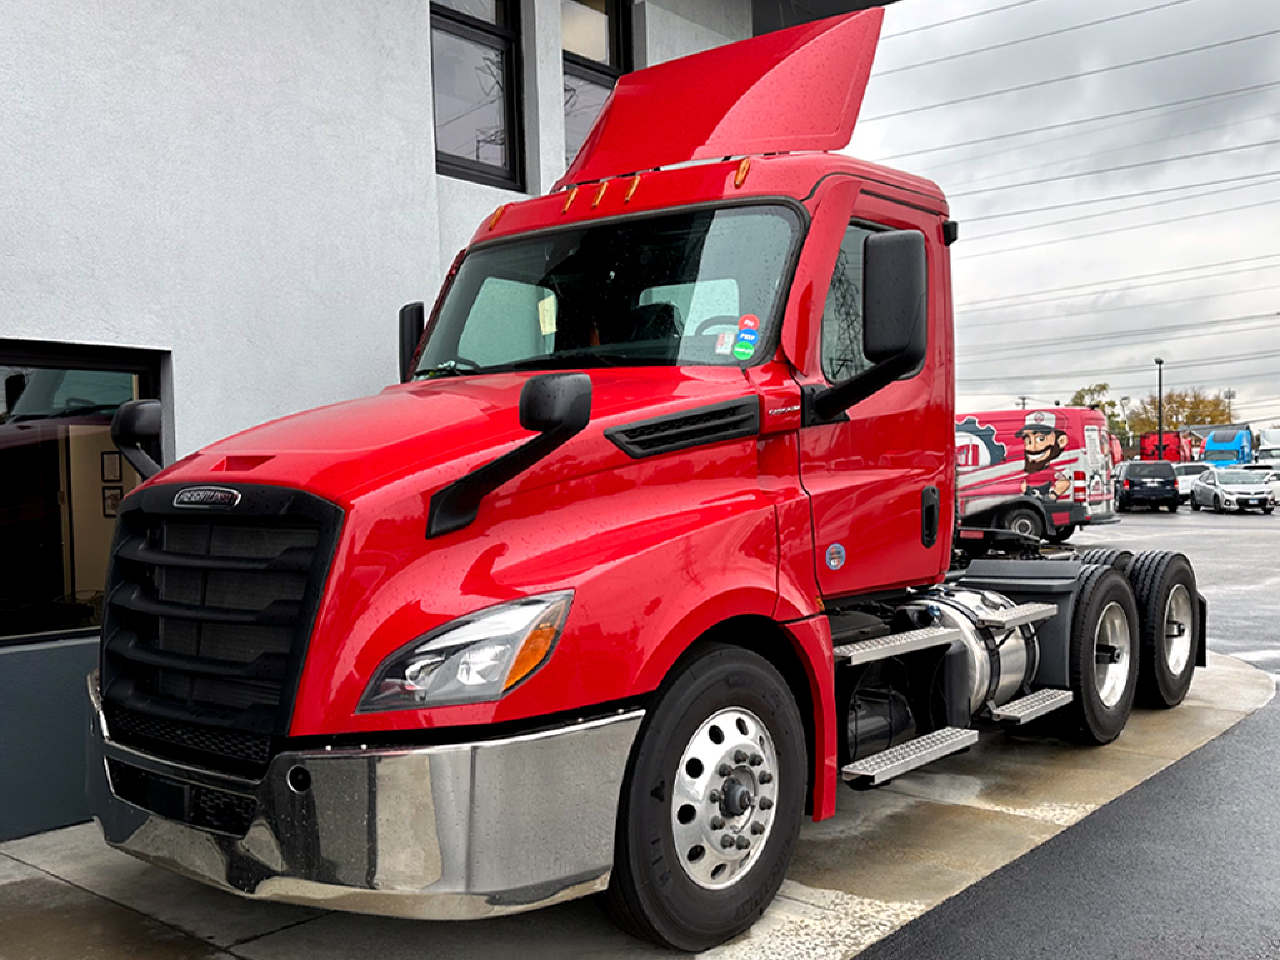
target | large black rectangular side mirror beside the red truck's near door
x=895, y=319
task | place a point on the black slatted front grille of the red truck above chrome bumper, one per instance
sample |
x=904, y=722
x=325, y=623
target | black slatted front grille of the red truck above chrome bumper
x=209, y=614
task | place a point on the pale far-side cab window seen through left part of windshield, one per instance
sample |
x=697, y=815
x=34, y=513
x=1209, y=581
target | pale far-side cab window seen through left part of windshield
x=510, y=321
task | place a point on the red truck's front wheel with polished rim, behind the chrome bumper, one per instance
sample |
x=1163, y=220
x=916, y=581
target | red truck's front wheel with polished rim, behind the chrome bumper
x=721, y=758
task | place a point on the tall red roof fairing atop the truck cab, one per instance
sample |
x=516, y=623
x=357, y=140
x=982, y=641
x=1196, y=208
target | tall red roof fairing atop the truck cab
x=798, y=89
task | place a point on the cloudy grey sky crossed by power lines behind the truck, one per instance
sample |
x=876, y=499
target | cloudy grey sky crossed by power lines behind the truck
x=1107, y=220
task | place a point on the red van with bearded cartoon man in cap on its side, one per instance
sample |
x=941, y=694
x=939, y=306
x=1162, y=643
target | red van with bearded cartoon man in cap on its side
x=1040, y=473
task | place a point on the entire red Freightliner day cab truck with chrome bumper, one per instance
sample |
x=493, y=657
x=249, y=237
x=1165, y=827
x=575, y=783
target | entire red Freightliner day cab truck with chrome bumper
x=651, y=550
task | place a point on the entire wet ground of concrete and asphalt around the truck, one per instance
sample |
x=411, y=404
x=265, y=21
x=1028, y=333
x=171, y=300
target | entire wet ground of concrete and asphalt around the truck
x=920, y=868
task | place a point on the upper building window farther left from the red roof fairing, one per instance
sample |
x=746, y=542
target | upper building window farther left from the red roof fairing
x=474, y=68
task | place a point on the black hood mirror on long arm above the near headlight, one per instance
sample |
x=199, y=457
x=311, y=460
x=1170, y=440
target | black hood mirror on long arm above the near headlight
x=557, y=406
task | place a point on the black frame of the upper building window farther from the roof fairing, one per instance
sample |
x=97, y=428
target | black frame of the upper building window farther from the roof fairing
x=508, y=40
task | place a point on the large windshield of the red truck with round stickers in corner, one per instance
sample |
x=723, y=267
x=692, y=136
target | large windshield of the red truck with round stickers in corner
x=698, y=287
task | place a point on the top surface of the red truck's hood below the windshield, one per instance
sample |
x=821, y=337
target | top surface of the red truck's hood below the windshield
x=440, y=429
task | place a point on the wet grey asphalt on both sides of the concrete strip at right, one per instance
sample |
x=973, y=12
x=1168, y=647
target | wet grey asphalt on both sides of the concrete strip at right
x=1188, y=863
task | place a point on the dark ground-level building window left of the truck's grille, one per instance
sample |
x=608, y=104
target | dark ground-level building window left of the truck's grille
x=62, y=481
